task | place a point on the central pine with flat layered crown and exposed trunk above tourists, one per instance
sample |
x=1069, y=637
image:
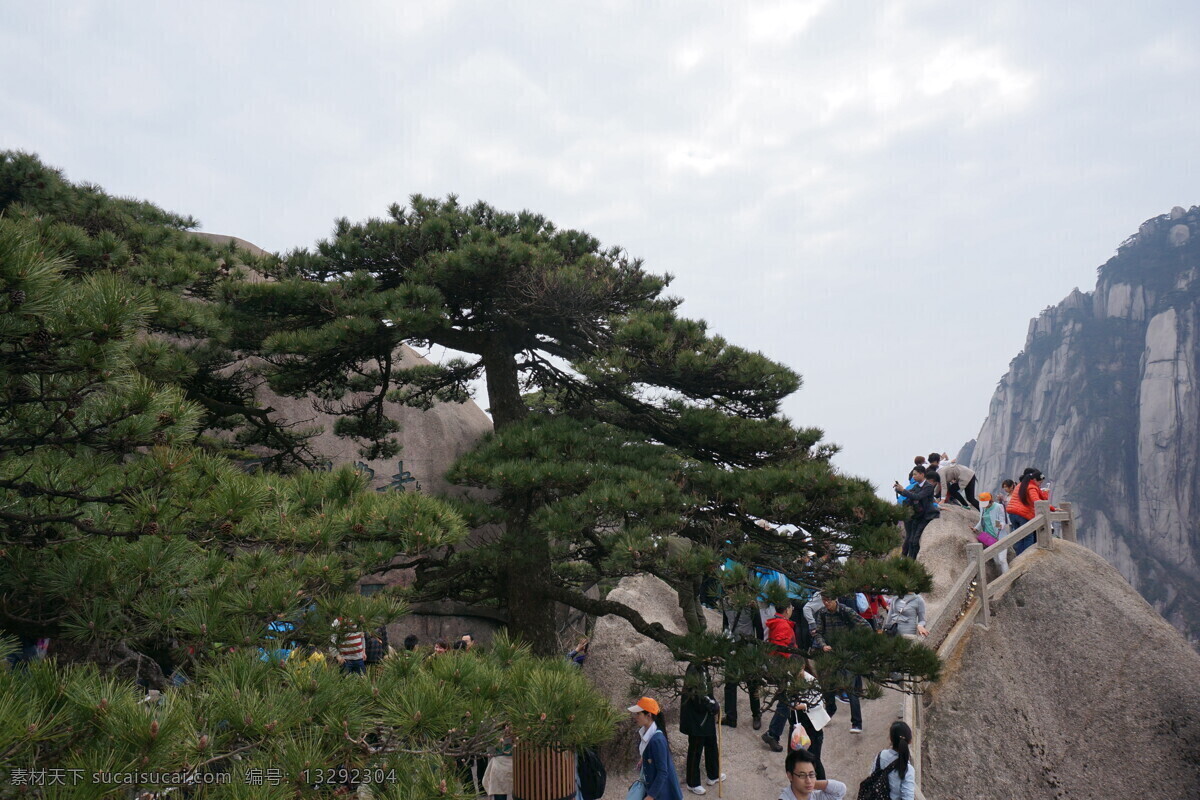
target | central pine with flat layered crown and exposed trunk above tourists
x=628, y=438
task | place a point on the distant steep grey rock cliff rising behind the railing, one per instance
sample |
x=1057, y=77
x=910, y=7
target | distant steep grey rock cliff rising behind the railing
x=1106, y=400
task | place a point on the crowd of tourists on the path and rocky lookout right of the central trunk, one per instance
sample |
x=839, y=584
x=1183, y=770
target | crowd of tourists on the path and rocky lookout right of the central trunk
x=934, y=483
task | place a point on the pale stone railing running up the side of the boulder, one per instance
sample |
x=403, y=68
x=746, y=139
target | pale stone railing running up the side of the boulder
x=969, y=603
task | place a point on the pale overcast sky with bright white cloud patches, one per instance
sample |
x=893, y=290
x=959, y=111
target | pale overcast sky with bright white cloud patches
x=880, y=195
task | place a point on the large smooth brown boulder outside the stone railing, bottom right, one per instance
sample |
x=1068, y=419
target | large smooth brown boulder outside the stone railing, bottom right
x=1078, y=689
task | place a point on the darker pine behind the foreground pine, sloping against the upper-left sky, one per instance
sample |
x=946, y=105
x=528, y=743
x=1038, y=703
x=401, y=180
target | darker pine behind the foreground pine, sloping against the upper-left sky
x=182, y=278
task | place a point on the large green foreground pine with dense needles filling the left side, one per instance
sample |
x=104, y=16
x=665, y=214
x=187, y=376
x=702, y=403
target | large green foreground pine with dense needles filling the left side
x=152, y=561
